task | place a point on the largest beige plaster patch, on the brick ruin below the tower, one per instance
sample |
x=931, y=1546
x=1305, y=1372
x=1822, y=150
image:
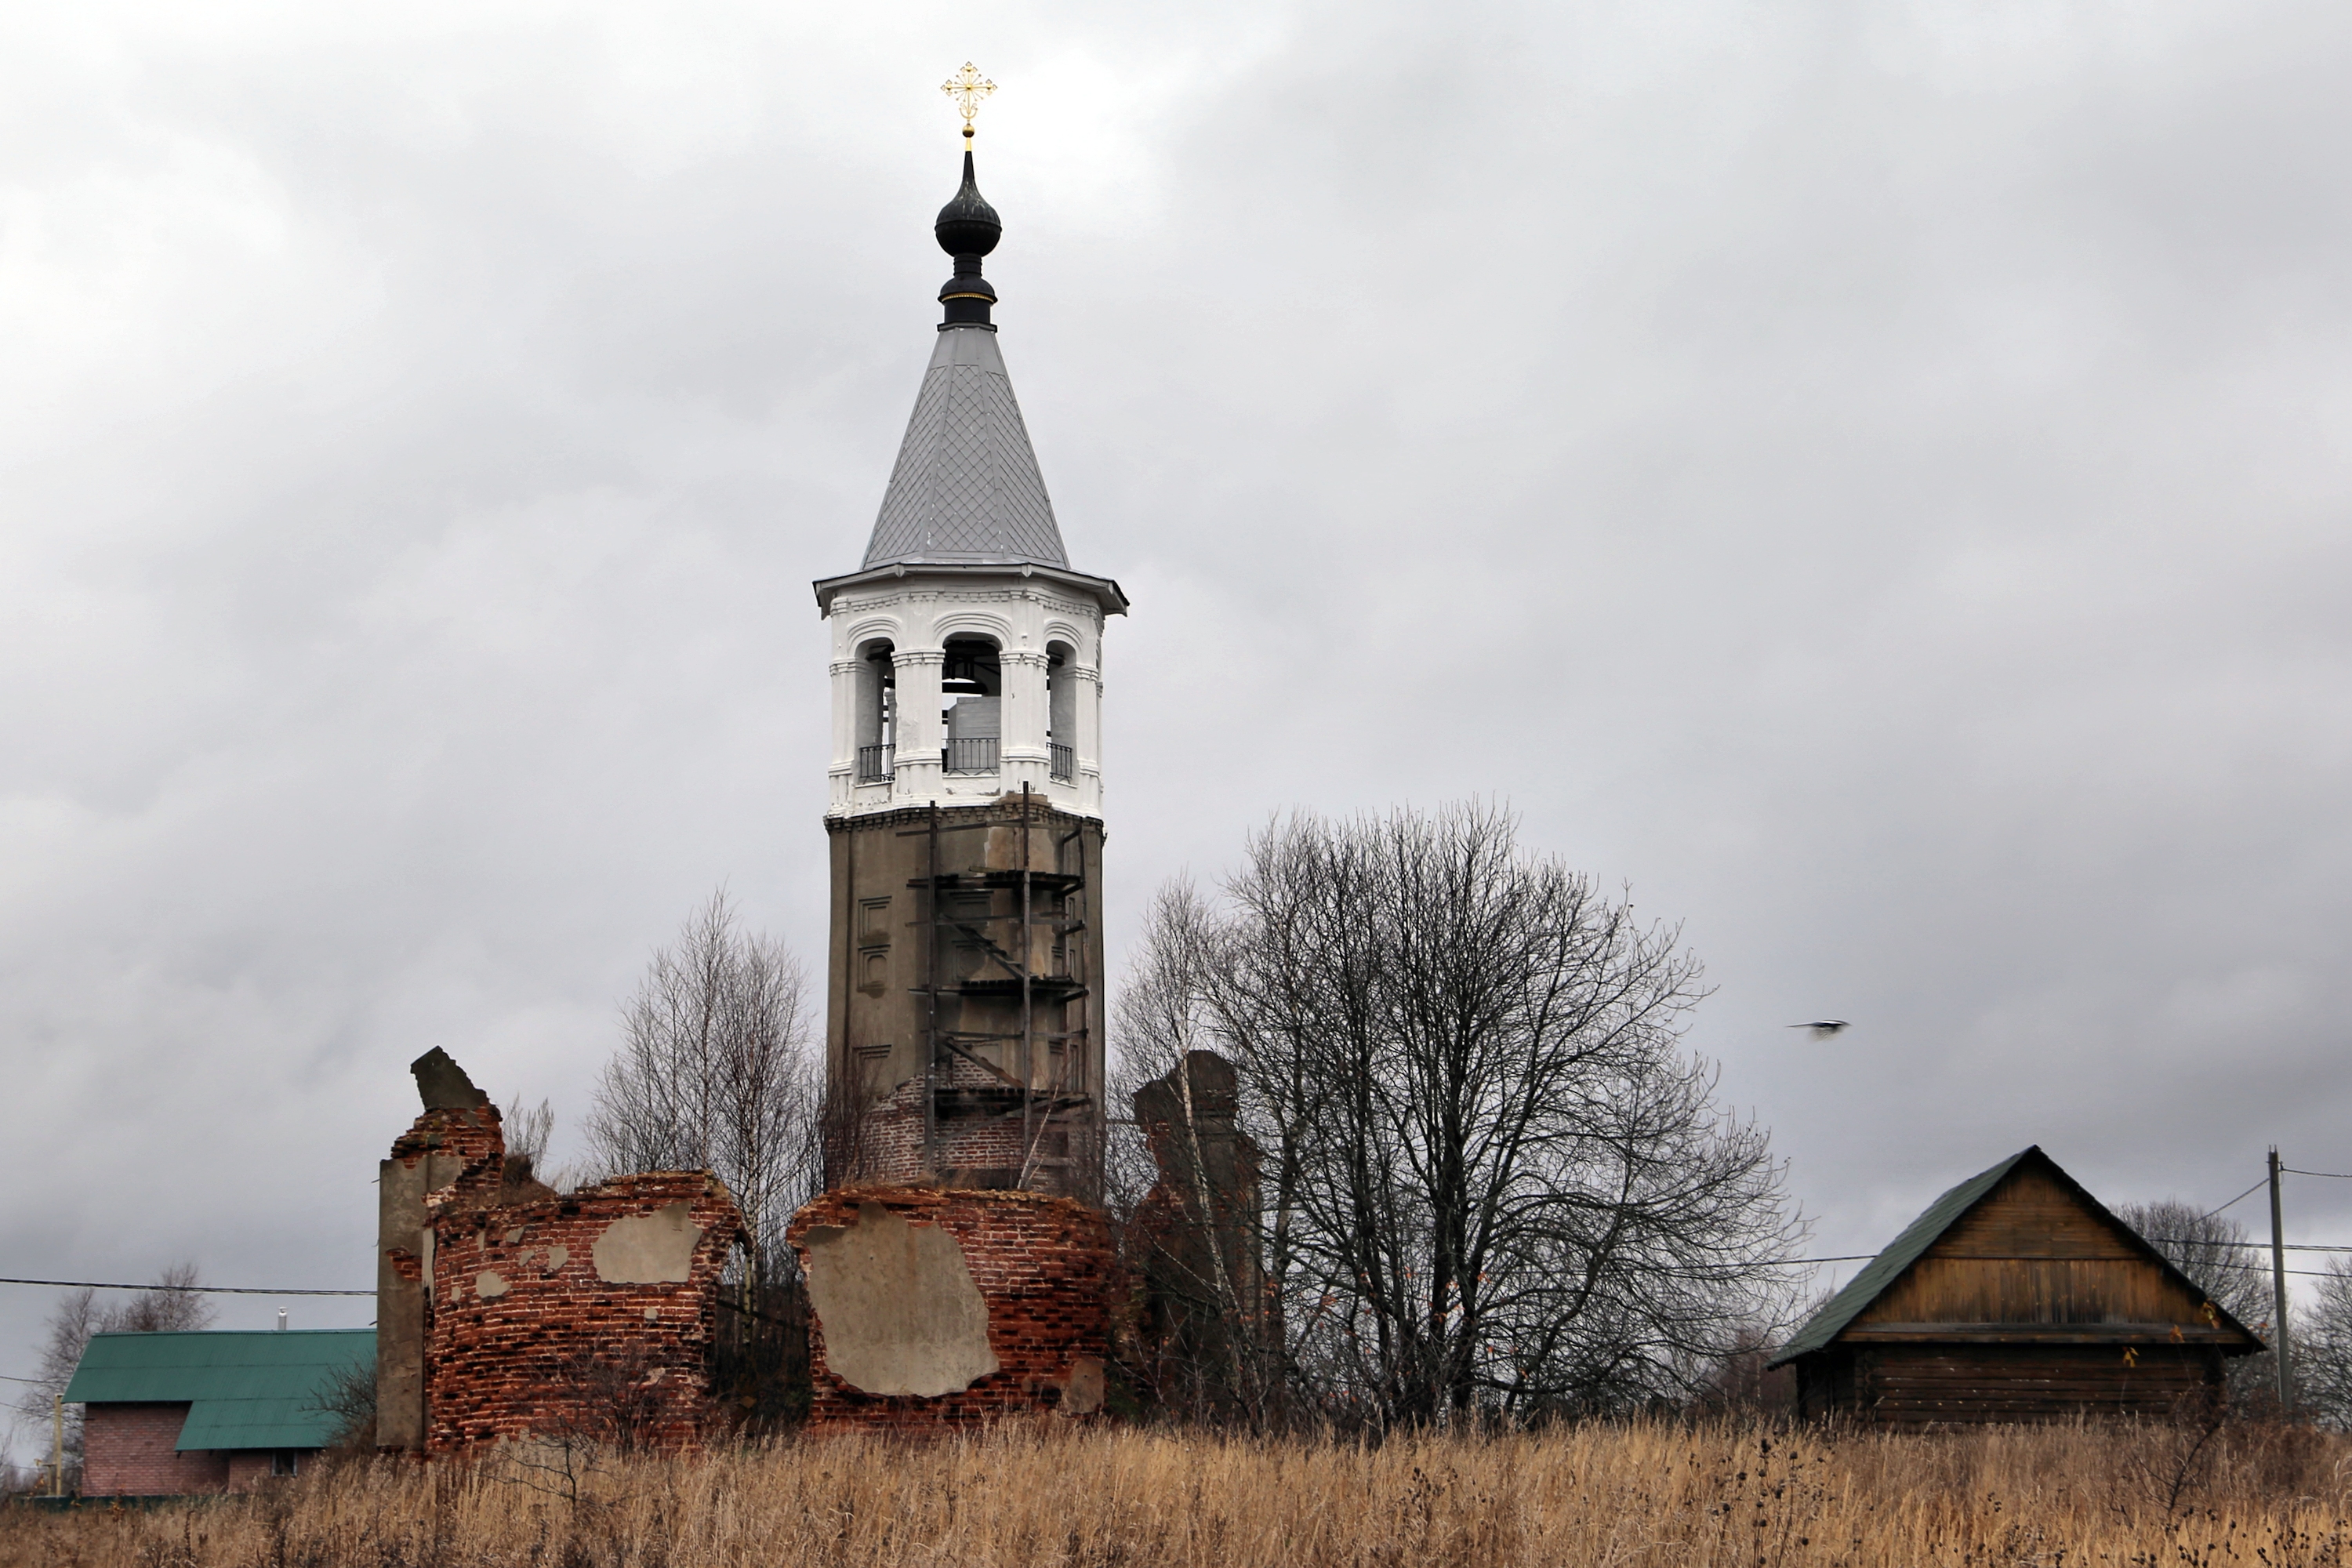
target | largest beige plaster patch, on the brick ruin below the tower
x=897, y=1306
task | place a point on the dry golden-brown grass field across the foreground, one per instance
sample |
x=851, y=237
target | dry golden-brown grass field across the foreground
x=1633, y=1494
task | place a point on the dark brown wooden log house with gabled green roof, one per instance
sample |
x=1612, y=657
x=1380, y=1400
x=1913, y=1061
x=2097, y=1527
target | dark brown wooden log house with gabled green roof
x=2014, y=1299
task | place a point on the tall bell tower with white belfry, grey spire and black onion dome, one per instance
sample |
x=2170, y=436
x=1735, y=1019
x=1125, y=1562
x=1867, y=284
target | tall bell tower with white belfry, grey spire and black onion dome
x=965, y=972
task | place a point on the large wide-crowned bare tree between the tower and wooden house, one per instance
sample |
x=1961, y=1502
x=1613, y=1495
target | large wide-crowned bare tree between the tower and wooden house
x=1495, y=1184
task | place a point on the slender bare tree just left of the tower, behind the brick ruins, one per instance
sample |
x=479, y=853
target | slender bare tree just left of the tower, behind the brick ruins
x=716, y=1076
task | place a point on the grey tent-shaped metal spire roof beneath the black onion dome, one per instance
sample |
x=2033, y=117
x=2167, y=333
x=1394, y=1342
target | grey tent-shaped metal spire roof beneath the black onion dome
x=968, y=485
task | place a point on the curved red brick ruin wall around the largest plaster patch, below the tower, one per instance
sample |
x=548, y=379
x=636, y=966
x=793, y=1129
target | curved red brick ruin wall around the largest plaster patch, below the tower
x=1048, y=1278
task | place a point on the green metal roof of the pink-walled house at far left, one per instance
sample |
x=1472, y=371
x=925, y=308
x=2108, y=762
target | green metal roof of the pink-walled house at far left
x=262, y=1388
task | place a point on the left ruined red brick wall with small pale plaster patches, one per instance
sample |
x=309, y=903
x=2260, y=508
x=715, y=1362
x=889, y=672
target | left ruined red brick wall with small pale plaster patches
x=587, y=1315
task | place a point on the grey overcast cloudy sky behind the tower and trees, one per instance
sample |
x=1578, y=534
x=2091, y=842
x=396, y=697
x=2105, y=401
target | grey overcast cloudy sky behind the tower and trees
x=1873, y=478
